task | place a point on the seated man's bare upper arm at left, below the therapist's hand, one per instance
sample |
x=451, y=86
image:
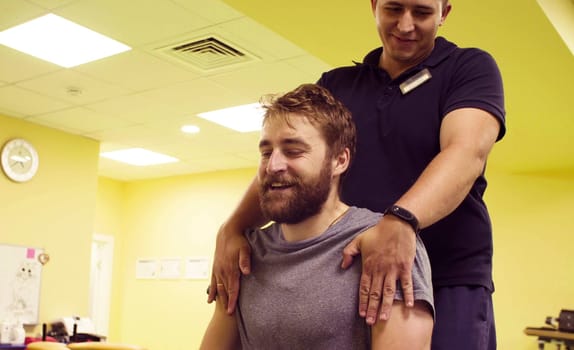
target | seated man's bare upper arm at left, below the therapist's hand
x=222, y=332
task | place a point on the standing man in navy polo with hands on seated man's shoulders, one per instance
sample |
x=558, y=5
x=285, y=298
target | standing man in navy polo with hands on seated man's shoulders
x=427, y=114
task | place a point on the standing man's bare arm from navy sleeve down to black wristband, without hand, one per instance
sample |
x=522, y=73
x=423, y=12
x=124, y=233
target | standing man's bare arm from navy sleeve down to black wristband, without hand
x=467, y=135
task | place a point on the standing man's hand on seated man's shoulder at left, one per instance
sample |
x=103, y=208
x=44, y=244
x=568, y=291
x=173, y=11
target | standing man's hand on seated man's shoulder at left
x=232, y=257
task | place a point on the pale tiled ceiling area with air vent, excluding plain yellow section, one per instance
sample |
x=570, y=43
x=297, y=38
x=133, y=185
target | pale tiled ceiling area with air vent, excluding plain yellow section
x=141, y=98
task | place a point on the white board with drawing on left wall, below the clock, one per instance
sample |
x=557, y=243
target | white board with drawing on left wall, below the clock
x=20, y=276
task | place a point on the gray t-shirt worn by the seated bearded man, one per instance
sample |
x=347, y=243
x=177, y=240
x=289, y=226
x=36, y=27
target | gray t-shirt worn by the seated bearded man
x=297, y=295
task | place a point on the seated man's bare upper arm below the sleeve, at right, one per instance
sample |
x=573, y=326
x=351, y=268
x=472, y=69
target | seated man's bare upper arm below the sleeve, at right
x=409, y=329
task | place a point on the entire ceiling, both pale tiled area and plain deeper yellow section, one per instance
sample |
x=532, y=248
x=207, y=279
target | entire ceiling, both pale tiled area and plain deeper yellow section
x=141, y=98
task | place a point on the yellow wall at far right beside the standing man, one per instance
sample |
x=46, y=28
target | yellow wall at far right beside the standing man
x=533, y=261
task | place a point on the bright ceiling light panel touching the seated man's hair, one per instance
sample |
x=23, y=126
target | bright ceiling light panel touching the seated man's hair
x=243, y=118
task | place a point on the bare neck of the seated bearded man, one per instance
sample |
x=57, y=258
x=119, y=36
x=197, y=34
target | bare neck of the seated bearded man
x=332, y=211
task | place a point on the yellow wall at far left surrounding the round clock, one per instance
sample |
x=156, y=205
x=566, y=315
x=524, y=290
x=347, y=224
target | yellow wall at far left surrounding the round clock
x=54, y=211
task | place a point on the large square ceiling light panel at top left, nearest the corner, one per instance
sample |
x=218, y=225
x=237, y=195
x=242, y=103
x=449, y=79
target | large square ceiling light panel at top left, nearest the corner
x=60, y=41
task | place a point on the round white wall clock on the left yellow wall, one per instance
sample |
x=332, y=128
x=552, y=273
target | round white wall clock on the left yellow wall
x=19, y=160
